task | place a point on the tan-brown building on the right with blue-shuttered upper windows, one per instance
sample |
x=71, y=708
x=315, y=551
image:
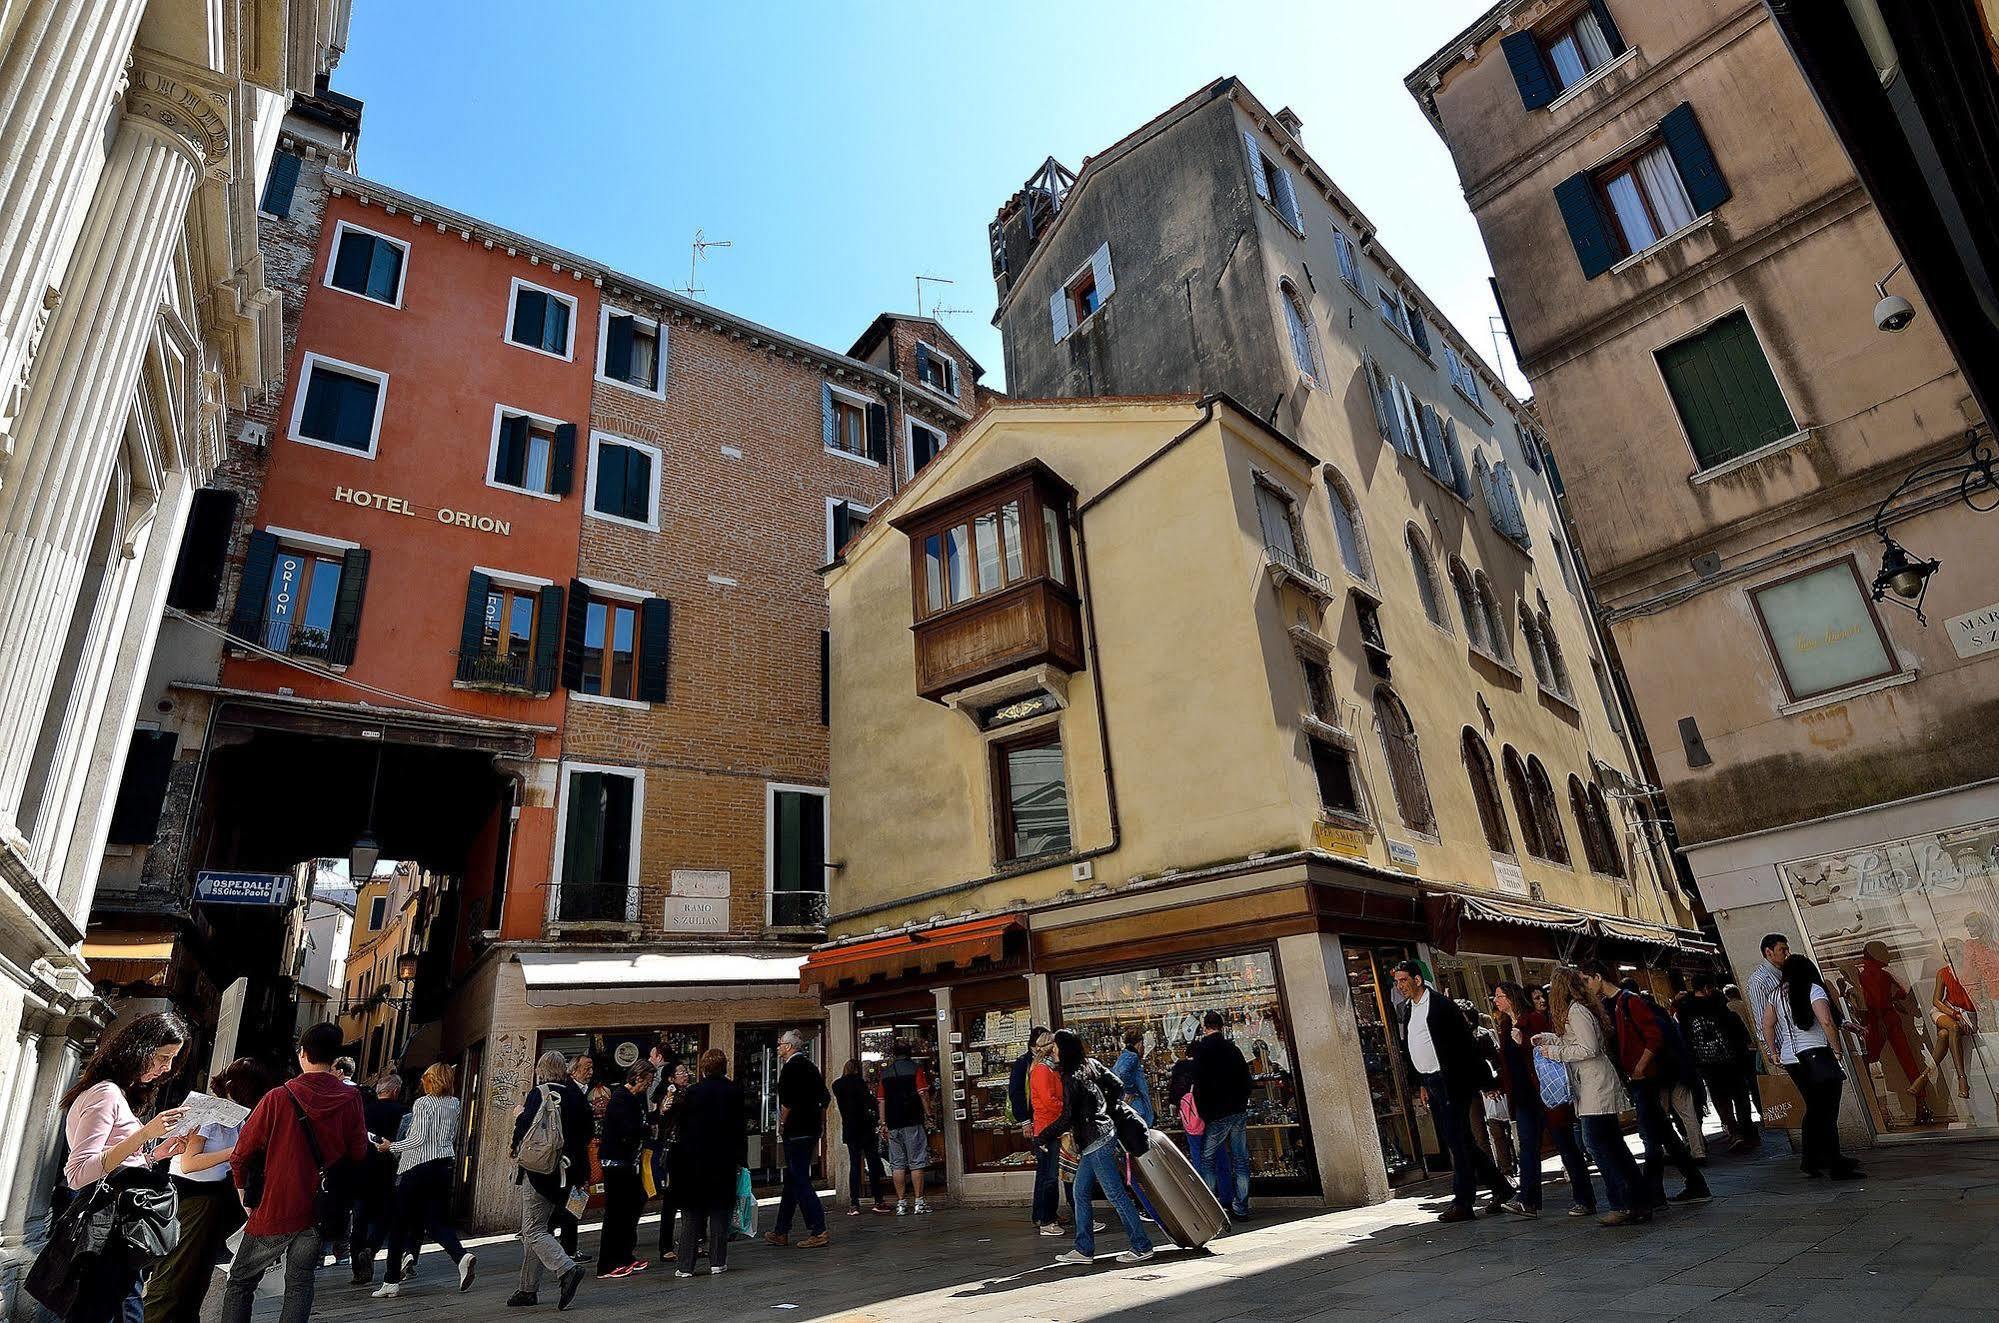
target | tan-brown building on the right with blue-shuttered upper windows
x=1692, y=267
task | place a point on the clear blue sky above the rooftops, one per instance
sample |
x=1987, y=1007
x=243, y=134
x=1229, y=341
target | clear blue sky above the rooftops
x=849, y=149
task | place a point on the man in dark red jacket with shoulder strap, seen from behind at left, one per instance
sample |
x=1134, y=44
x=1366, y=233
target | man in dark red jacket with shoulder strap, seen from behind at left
x=285, y=1224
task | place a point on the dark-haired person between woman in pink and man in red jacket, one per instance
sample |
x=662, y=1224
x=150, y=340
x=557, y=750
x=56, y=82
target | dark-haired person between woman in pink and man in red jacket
x=207, y=1198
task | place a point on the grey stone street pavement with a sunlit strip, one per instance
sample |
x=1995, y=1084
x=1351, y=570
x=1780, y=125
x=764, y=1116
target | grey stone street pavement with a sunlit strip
x=1920, y=1238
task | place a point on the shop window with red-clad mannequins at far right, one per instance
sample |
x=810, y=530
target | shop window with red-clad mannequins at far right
x=1908, y=938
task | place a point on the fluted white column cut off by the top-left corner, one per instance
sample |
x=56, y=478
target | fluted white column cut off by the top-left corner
x=59, y=75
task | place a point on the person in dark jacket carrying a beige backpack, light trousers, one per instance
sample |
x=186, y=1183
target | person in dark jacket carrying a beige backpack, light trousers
x=551, y=1130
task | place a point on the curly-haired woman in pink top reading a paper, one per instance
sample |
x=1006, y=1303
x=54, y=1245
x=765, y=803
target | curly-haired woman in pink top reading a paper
x=111, y=1144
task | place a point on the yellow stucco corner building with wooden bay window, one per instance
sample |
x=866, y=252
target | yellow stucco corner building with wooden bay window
x=1242, y=668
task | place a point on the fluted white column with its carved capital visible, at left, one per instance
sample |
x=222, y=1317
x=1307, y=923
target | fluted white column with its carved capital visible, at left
x=75, y=421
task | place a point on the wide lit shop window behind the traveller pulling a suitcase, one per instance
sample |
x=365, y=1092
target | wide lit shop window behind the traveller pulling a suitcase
x=1166, y=1004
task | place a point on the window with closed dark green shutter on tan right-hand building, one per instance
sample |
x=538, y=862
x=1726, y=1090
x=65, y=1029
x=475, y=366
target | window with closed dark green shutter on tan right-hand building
x=1724, y=391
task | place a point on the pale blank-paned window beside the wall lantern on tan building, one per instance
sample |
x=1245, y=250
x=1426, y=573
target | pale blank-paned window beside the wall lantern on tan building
x=1824, y=633
